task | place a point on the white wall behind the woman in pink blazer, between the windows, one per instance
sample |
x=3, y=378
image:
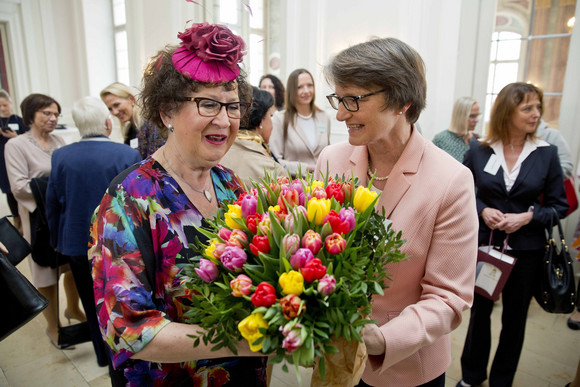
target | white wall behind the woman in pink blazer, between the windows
x=329, y=26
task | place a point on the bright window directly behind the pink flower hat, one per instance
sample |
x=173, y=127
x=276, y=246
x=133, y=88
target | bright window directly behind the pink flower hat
x=247, y=19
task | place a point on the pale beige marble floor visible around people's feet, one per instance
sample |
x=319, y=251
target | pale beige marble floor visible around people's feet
x=549, y=359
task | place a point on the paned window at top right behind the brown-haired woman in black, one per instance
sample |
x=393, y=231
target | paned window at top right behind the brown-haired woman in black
x=530, y=44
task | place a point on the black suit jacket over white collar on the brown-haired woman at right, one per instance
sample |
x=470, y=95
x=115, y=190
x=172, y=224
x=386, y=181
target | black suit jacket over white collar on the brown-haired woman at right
x=540, y=175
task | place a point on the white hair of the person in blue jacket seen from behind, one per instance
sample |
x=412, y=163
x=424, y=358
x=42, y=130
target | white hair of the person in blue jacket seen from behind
x=90, y=115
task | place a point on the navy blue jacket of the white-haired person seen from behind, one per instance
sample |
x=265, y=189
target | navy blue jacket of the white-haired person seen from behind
x=80, y=175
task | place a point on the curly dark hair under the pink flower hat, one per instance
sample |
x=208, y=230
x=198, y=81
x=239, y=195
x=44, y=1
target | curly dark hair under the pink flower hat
x=162, y=83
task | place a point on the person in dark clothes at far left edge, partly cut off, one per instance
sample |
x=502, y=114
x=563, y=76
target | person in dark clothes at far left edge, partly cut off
x=11, y=125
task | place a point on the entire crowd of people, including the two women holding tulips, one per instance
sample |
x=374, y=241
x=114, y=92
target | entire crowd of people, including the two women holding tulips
x=197, y=134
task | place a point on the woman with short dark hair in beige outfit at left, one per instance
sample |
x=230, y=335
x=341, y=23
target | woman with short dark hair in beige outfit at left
x=27, y=157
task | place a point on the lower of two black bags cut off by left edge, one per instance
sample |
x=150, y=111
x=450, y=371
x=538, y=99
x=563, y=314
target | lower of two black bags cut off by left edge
x=20, y=300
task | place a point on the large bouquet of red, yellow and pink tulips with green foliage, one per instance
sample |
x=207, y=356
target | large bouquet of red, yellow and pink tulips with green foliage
x=291, y=267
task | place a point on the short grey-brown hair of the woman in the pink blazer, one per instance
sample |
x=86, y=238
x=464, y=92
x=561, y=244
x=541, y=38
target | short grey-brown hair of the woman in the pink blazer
x=386, y=63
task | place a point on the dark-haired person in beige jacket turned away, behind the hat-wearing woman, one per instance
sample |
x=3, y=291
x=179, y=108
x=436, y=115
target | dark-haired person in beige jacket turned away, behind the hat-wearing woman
x=249, y=155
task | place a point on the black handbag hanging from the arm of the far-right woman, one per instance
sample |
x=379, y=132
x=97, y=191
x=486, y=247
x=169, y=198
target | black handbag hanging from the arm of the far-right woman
x=556, y=291
